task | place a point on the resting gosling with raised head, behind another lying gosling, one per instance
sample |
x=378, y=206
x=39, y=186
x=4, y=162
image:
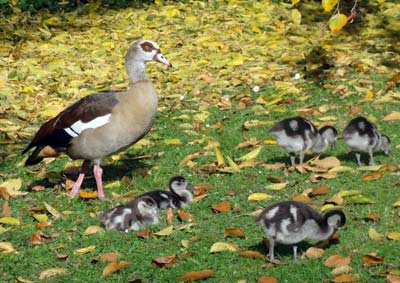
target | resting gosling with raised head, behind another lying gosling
x=178, y=196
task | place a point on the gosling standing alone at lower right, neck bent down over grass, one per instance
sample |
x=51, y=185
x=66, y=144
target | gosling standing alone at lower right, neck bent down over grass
x=291, y=222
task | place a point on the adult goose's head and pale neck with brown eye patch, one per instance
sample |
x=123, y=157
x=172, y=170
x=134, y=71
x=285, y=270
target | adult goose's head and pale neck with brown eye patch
x=138, y=54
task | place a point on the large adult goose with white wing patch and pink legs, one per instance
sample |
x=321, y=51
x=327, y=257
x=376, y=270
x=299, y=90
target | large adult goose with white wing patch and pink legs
x=103, y=123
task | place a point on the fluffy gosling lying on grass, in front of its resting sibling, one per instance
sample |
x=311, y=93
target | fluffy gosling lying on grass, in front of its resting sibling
x=141, y=212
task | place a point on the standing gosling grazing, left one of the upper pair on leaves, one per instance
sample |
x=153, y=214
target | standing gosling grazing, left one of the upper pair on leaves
x=298, y=135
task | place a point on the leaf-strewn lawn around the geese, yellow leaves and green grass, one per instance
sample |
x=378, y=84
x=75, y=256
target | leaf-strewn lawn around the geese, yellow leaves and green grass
x=208, y=104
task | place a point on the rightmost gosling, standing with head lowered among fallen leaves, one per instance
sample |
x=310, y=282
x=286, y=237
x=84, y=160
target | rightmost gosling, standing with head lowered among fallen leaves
x=361, y=135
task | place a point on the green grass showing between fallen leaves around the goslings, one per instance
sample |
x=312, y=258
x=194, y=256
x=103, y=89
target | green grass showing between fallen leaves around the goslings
x=208, y=227
